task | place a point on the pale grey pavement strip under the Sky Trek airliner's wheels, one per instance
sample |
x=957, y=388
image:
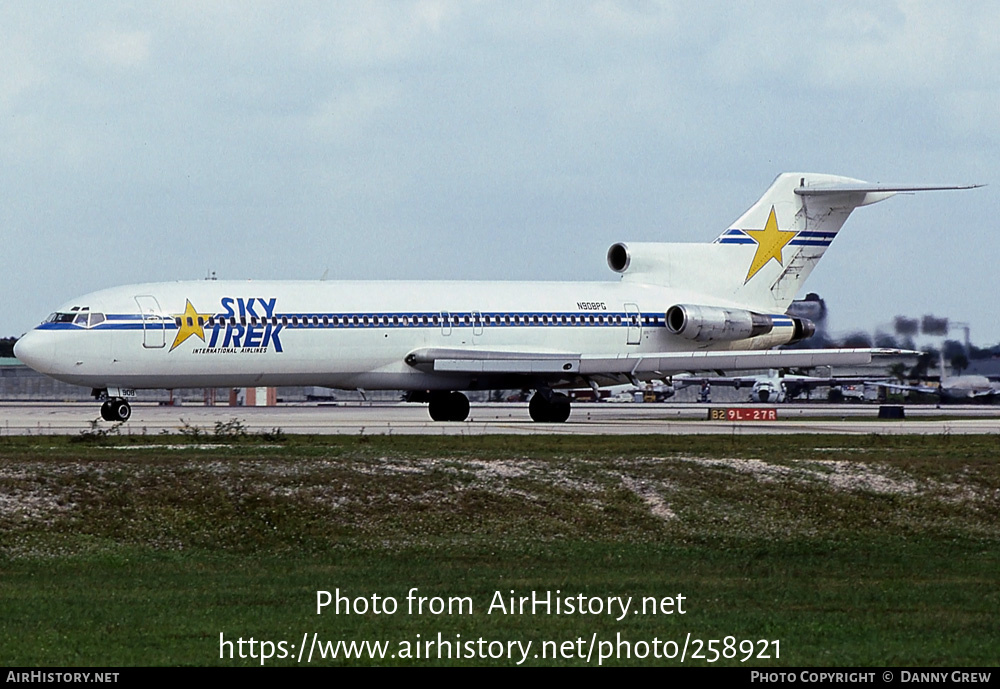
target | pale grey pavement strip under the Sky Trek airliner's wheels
x=485, y=419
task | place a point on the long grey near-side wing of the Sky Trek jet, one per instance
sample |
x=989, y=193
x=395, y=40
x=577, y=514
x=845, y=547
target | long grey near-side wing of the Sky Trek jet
x=646, y=364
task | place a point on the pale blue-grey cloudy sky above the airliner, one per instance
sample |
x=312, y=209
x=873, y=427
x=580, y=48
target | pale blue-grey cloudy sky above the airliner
x=489, y=140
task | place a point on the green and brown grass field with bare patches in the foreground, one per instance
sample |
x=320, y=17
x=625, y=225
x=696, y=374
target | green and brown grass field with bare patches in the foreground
x=822, y=550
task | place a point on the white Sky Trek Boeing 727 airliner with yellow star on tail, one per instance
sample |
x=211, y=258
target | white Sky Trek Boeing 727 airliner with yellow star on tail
x=676, y=307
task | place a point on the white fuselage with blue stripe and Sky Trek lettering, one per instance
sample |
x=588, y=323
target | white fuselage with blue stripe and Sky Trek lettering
x=343, y=334
